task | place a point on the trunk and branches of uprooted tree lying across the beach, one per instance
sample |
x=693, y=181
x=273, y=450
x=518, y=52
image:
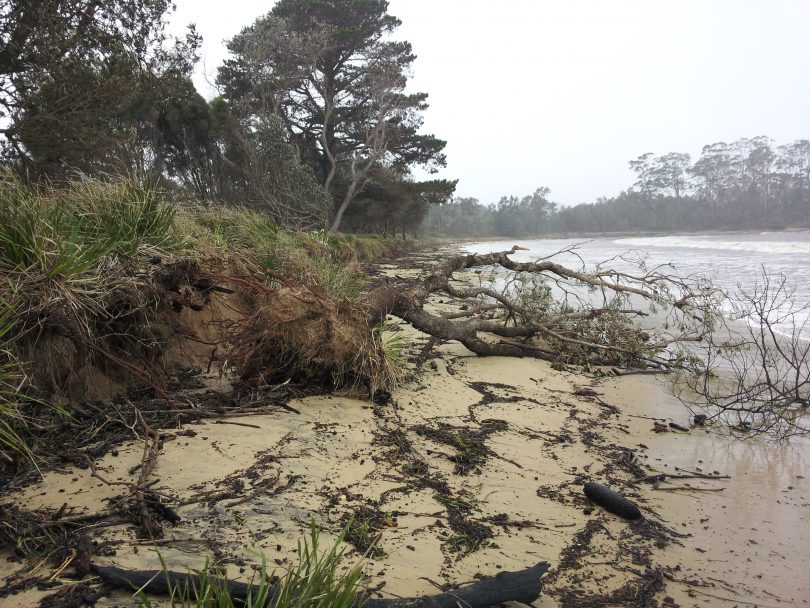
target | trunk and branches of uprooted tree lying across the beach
x=527, y=321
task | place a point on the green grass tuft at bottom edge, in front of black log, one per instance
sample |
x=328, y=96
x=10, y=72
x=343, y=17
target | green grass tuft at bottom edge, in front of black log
x=316, y=580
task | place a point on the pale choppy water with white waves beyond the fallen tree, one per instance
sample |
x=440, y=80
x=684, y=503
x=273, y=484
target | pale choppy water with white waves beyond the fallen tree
x=732, y=261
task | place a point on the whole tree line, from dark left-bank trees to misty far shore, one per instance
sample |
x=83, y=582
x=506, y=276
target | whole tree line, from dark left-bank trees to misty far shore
x=315, y=127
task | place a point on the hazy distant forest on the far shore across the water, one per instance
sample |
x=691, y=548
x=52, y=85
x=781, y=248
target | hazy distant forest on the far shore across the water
x=746, y=184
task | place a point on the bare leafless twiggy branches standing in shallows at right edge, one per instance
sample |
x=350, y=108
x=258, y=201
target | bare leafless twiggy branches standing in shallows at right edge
x=756, y=377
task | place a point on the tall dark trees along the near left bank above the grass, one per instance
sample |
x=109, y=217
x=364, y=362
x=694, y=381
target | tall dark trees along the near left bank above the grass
x=313, y=124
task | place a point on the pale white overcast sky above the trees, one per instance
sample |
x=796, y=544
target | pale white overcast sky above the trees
x=563, y=93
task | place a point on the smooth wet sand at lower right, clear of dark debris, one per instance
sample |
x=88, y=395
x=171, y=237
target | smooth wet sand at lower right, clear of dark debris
x=751, y=539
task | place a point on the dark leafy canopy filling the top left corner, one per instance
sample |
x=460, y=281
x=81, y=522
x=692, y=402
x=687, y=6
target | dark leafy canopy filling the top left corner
x=79, y=80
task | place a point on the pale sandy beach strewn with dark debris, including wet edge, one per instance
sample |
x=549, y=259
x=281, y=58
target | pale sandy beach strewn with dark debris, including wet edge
x=475, y=466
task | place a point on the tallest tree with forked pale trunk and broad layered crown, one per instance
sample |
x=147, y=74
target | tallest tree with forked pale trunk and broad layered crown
x=331, y=71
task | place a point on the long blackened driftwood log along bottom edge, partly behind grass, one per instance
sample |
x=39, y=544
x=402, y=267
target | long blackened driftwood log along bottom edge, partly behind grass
x=519, y=586
